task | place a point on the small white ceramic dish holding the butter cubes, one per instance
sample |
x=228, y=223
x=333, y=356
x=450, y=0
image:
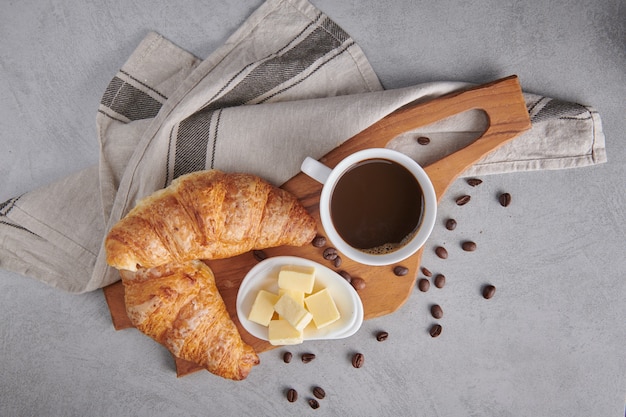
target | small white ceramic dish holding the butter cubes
x=264, y=276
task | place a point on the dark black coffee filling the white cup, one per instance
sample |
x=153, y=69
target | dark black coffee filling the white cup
x=377, y=206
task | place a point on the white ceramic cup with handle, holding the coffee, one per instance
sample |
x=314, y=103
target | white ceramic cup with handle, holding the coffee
x=330, y=177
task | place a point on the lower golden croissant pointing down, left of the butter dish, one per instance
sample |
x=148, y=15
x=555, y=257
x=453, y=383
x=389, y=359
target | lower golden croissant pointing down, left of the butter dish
x=179, y=306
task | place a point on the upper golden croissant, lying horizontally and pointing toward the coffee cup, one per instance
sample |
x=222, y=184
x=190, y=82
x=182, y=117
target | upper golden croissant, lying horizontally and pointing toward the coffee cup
x=207, y=215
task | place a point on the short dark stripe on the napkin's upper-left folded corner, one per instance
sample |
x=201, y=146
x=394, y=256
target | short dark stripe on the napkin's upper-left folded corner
x=129, y=101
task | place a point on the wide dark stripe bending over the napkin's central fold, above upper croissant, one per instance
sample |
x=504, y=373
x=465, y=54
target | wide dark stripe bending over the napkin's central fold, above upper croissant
x=194, y=132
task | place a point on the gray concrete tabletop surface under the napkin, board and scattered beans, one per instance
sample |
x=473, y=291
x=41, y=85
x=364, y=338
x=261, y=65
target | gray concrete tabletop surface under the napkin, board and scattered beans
x=550, y=343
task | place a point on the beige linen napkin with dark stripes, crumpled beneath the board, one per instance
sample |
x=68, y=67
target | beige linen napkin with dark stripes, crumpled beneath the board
x=289, y=83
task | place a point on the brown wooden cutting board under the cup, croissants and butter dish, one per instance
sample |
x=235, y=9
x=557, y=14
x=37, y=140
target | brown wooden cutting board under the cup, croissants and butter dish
x=385, y=292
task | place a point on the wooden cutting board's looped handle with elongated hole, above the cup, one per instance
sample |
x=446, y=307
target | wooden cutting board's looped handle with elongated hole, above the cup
x=501, y=100
